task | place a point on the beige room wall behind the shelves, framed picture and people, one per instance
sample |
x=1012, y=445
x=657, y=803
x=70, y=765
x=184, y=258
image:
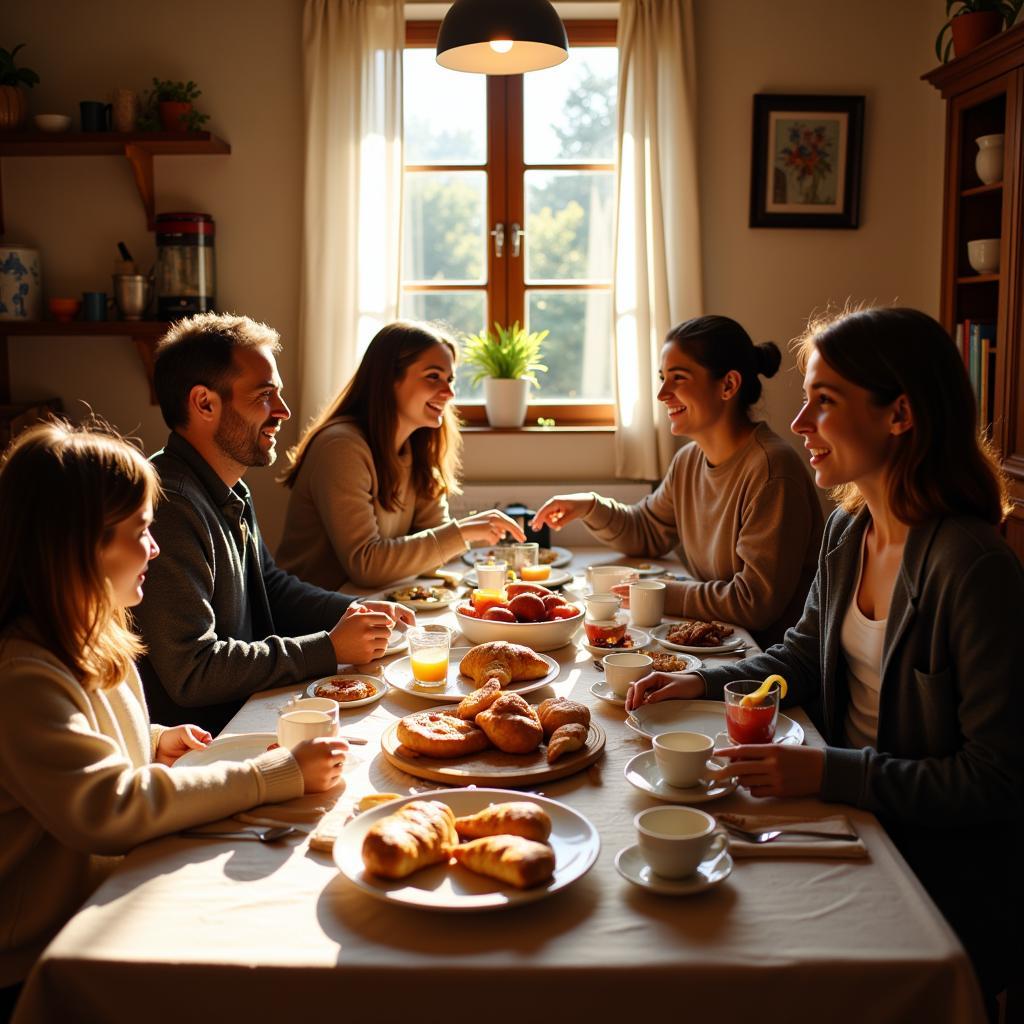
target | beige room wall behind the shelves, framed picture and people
x=246, y=55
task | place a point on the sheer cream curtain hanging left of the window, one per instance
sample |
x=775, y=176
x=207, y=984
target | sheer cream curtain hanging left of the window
x=352, y=240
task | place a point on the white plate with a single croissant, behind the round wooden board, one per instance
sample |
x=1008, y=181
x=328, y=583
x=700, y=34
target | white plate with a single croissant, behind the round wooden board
x=517, y=667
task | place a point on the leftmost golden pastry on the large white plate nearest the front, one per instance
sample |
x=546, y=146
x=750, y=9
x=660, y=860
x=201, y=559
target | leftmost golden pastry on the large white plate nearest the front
x=417, y=835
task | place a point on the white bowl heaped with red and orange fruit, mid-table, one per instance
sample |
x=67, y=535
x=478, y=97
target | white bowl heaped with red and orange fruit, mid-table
x=525, y=613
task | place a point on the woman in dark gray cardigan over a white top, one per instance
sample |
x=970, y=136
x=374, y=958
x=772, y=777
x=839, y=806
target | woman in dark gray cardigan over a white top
x=908, y=638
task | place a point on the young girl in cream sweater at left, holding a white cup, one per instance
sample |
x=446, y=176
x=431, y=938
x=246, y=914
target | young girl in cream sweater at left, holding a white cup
x=83, y=775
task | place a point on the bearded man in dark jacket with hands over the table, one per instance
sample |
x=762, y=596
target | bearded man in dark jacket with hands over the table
x=221, y=620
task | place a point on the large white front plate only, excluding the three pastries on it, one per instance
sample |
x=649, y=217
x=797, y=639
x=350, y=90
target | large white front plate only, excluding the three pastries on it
x=443, y=887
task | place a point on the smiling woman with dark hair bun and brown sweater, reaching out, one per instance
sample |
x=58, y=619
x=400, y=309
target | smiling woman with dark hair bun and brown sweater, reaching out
x=738, y=501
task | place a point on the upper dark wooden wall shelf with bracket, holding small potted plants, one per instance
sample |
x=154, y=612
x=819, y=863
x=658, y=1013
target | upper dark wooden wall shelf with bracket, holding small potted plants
x=139, y=148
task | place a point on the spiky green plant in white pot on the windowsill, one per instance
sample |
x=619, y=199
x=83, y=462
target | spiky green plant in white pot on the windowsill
x=507, y=363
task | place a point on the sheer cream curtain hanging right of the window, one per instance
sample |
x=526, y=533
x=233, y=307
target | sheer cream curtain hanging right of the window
x=658, y=279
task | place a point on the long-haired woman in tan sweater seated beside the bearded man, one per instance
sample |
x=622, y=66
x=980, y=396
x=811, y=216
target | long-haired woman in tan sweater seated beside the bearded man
x=371, y=476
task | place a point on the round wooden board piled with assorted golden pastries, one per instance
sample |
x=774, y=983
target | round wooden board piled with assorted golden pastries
x=494, y=737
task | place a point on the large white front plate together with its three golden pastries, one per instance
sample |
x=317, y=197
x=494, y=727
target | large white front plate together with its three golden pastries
x=466, y=850
